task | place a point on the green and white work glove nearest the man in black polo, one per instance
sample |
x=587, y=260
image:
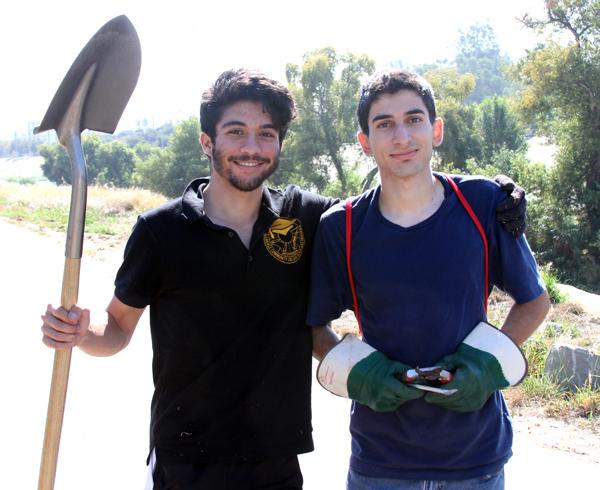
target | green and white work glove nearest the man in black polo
x=353, y=369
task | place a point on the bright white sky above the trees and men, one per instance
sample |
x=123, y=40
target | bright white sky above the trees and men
x=187, y=44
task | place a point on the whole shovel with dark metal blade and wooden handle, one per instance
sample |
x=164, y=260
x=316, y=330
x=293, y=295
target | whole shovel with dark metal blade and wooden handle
x=92, y=95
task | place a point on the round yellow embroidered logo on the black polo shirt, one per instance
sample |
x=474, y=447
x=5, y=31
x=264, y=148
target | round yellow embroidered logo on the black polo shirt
x=285, y=240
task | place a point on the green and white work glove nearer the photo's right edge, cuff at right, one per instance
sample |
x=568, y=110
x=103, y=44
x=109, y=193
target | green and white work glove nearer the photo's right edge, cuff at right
x=486, y=361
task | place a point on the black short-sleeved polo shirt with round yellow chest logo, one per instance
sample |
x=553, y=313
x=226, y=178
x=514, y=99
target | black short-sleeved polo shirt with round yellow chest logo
x=232, y=353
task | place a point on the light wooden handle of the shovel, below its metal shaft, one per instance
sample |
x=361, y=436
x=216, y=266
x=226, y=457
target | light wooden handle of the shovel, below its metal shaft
x=58, y=387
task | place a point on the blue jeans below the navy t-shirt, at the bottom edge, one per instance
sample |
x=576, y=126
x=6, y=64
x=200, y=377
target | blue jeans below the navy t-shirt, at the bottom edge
x=356, y=481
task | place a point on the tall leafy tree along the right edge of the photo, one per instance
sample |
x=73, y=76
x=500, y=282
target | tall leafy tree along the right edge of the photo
x=561, y=96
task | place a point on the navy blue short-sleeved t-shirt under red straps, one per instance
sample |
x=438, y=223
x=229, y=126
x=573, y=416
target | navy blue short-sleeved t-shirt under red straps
x=420, y=292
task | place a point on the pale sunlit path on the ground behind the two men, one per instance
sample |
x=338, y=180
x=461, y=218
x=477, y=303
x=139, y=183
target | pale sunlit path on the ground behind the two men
x=108, y=403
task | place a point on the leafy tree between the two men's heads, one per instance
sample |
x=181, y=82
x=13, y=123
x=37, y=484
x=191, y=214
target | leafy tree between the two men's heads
x=326, y=88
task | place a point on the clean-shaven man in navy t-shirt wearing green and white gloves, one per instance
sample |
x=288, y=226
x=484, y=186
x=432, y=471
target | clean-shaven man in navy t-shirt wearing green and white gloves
x=425, y=250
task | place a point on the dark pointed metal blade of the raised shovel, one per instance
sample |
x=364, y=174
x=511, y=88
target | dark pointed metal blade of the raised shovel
x=116, y=52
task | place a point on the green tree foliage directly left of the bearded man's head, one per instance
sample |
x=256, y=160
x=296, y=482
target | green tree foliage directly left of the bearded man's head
x=168, y=170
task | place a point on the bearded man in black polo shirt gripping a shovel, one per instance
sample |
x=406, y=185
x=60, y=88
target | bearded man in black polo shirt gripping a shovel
x=225, y=272
